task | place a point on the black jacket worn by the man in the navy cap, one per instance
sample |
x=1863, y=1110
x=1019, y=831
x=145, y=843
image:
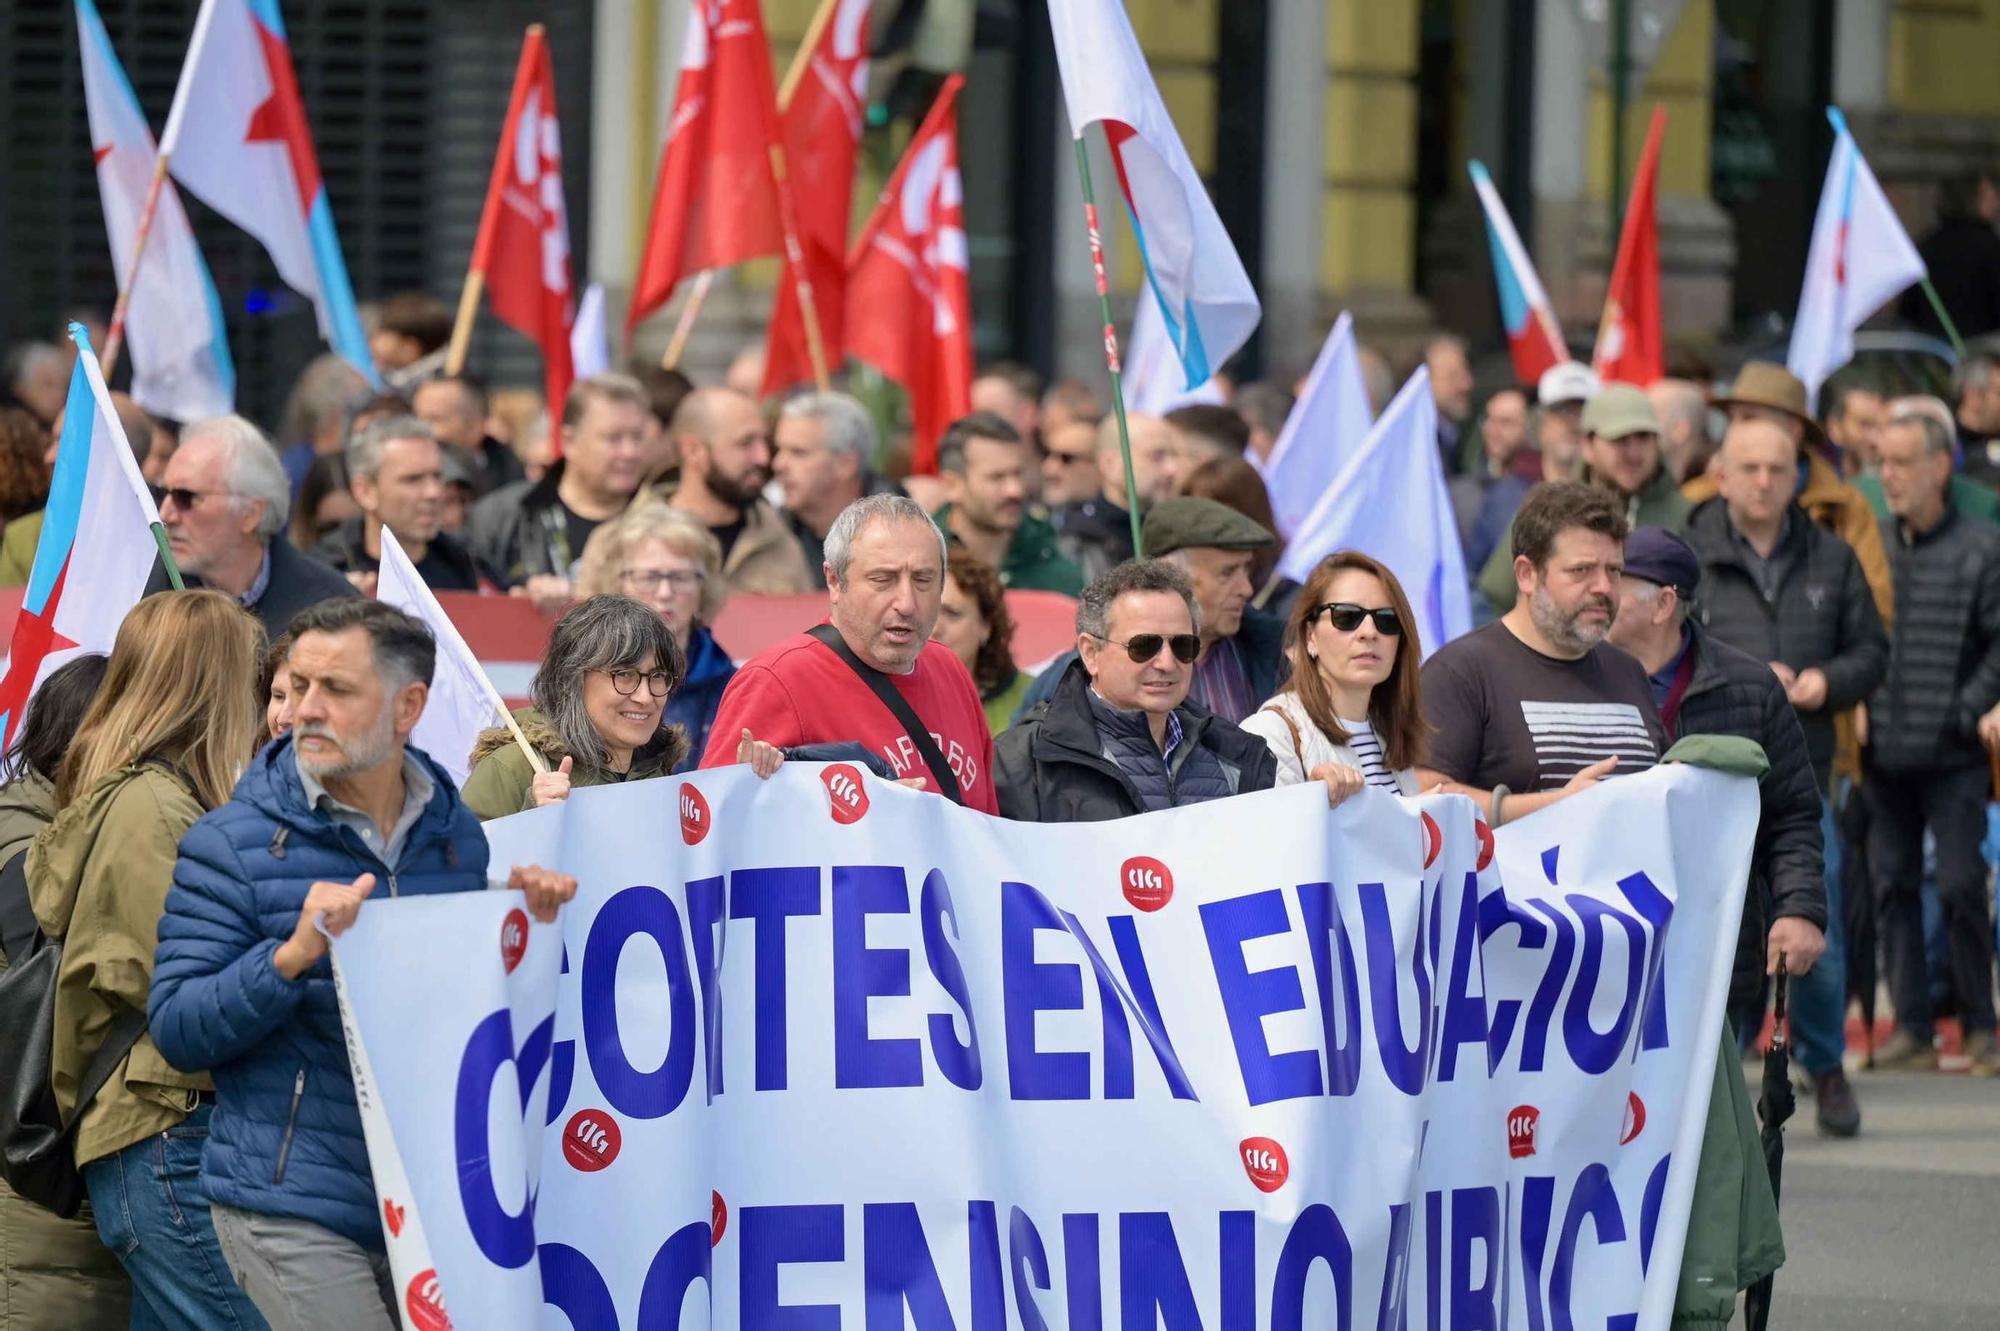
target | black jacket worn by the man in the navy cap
x=1737, y=694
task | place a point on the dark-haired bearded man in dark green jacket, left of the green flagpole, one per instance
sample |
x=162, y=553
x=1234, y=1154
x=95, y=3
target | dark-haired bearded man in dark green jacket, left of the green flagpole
x=983, y=463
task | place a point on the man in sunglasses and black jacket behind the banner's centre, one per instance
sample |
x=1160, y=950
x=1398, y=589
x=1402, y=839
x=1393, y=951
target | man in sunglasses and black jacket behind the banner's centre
x=1121, y=736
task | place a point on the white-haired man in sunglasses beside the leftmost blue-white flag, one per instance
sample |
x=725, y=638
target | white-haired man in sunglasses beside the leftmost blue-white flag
x=225, y=511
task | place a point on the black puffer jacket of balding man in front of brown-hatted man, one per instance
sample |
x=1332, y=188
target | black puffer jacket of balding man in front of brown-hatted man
x=1823, y=615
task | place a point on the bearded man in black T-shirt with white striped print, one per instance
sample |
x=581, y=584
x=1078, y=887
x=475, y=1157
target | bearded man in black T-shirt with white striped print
x=1539, y=706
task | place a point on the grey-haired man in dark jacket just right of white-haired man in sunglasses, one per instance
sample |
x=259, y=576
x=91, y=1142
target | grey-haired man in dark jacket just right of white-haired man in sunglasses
x=397, y=475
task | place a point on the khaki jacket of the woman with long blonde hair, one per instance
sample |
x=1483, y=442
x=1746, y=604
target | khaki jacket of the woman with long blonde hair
x=99, y=880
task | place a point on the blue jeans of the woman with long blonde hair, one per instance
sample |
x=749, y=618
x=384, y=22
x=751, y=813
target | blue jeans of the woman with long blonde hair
x=153, y=1216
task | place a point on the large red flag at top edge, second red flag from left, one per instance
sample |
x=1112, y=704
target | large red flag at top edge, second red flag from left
x=717, y=201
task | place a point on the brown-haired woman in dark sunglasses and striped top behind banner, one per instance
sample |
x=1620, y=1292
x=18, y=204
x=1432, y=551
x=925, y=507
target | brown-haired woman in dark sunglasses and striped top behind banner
x=1349, y=714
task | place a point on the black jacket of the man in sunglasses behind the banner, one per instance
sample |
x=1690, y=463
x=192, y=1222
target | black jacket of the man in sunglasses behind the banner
x=1051, y=766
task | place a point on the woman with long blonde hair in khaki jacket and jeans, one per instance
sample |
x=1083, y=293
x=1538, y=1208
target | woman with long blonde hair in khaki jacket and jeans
x=163, y=744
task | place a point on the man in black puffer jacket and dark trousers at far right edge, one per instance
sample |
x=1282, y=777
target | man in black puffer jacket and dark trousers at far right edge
x=1927, y=764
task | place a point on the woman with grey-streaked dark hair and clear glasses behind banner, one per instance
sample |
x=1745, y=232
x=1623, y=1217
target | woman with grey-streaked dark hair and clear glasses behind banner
x=599, y=712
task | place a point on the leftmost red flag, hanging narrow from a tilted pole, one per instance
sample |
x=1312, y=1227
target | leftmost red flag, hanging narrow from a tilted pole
x=523, y=249
